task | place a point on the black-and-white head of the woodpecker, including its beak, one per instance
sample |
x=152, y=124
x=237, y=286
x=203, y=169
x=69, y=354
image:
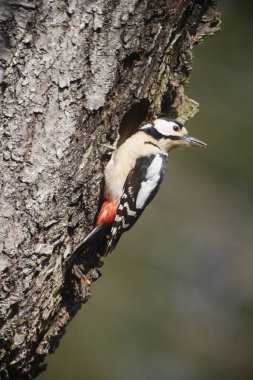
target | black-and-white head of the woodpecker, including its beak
x=170, y=134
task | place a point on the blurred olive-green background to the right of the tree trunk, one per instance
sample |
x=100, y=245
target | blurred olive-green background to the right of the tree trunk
x=175, y=300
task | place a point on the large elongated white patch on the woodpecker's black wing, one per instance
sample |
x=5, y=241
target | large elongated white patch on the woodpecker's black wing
x=151, y=180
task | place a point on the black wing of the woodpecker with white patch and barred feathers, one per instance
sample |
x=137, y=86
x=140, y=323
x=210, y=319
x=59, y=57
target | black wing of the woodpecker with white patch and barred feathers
x=140, y=187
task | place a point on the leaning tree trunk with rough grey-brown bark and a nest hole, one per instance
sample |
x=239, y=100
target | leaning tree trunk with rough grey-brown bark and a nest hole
x=75, y=74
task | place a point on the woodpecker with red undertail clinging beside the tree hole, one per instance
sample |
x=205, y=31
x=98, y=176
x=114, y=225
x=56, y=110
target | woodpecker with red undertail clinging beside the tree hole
x=132, y=178
